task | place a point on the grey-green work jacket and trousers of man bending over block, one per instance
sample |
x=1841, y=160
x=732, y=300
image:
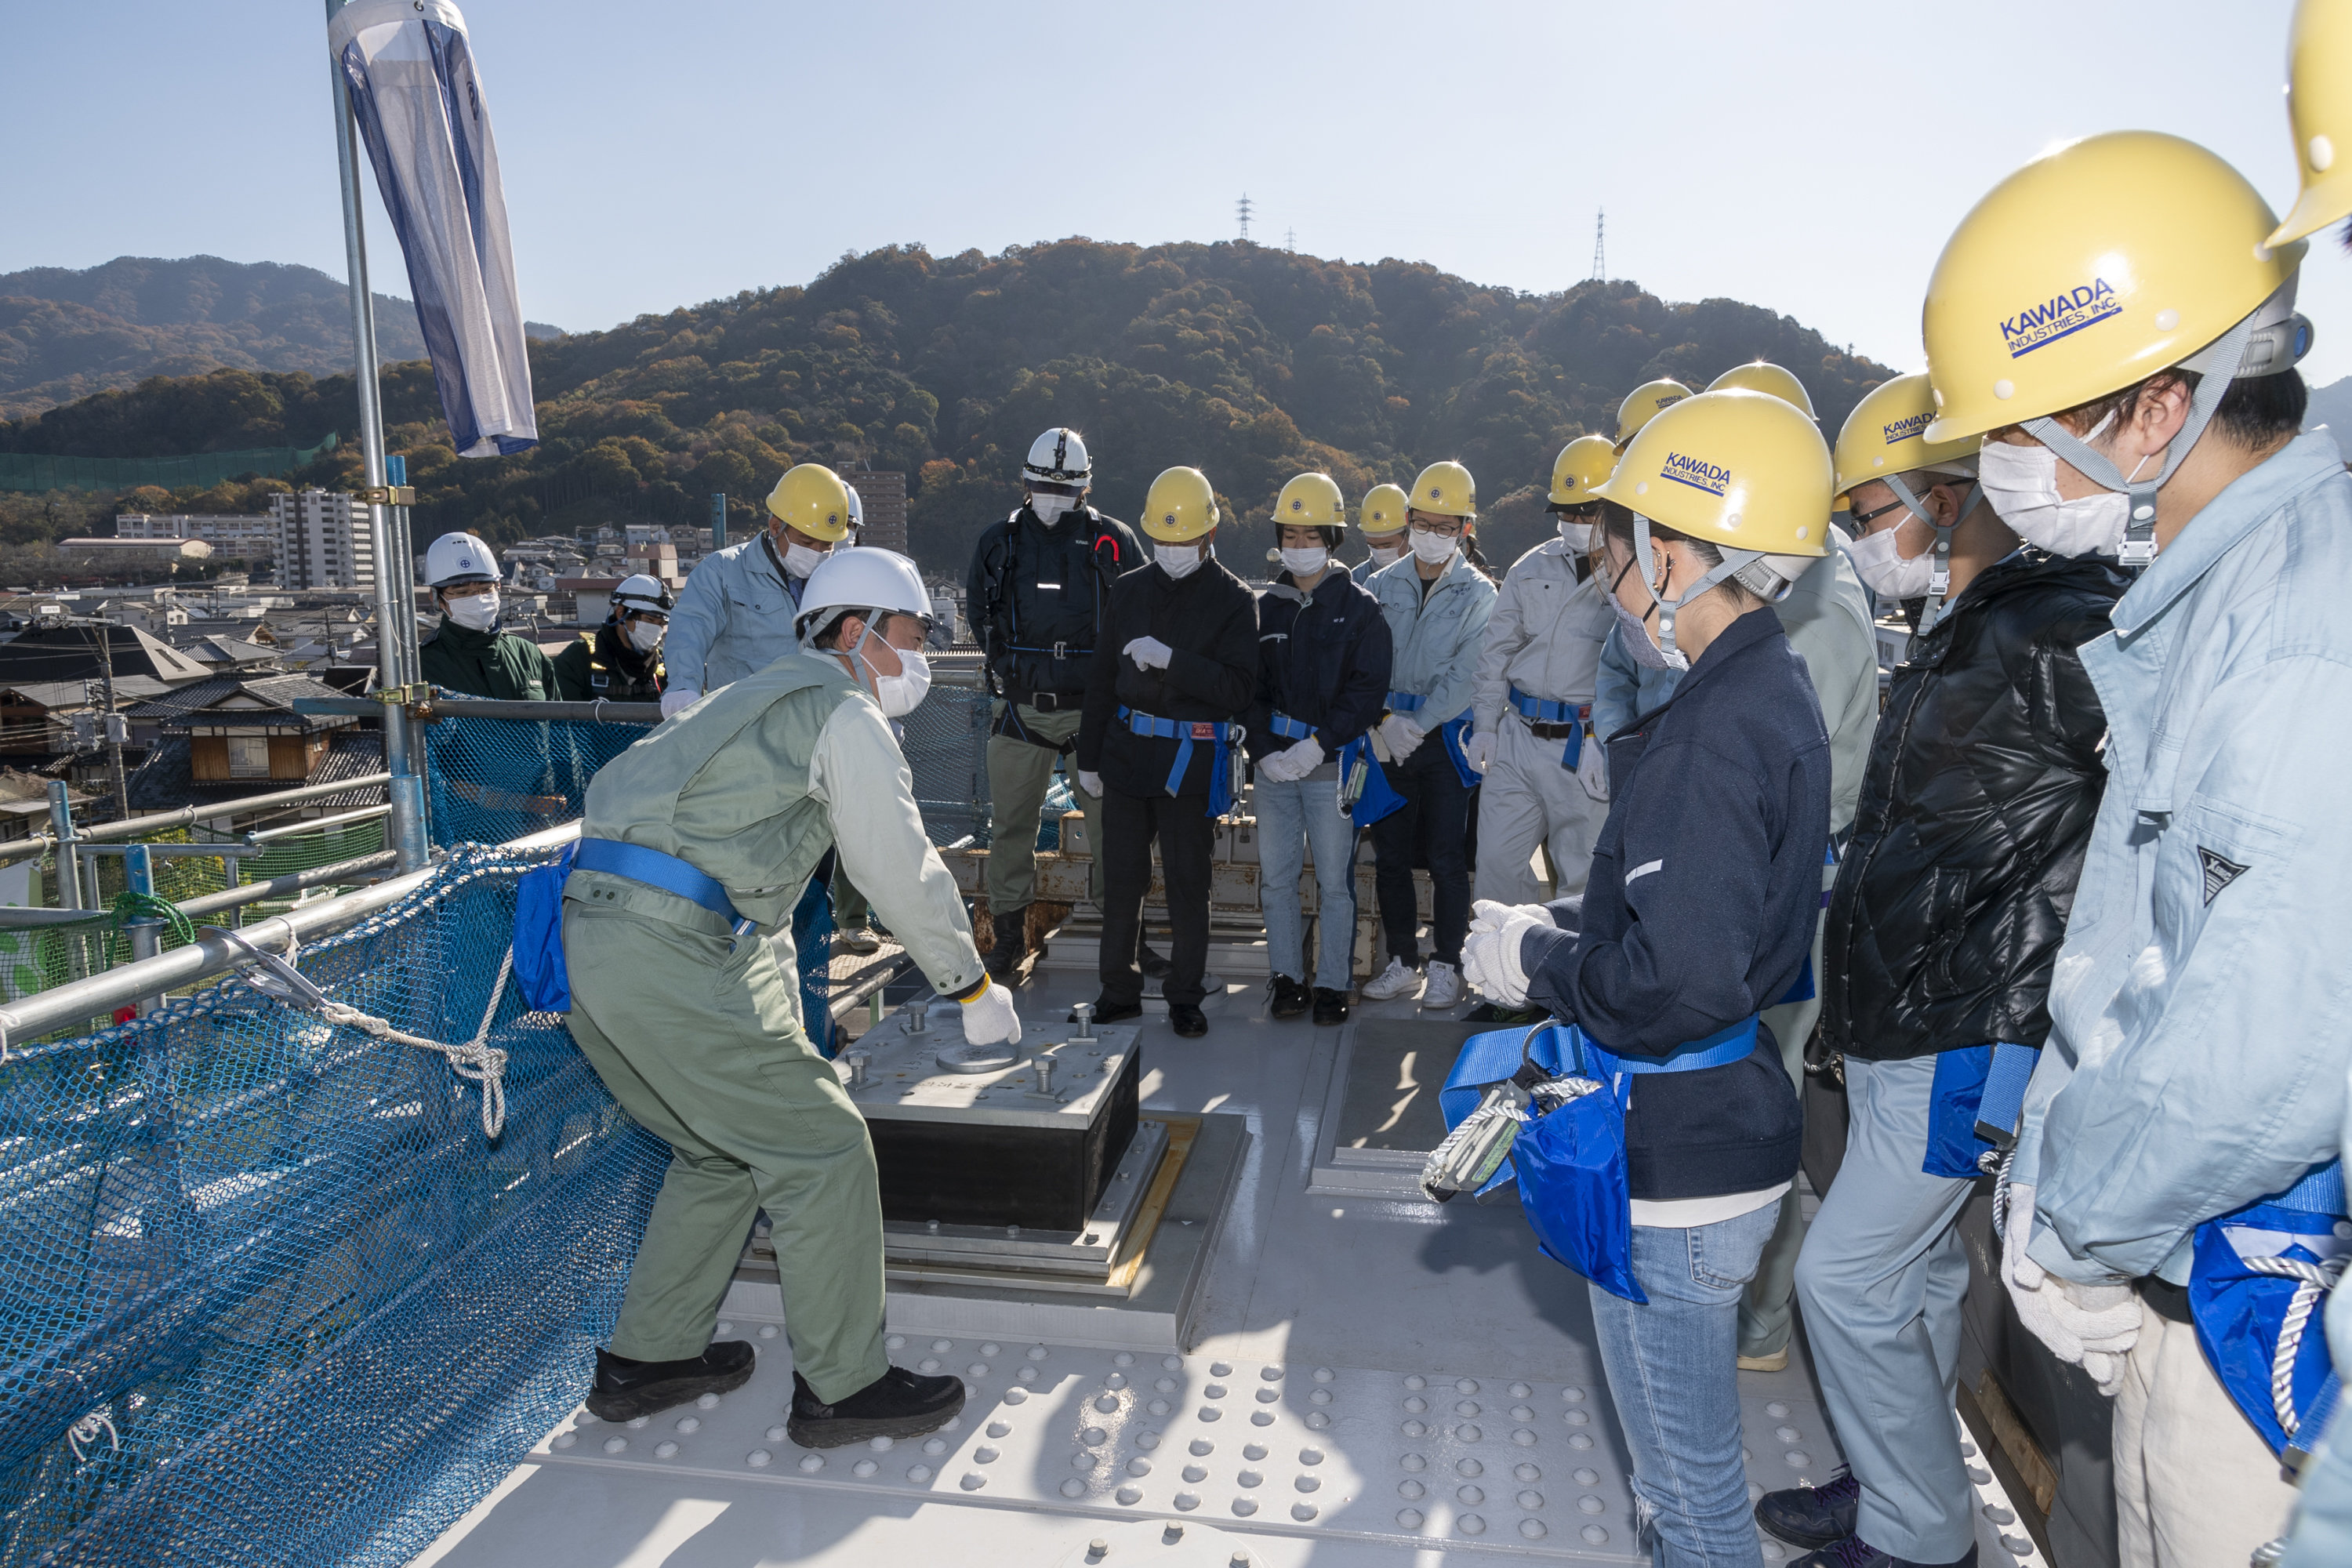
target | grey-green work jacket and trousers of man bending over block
x=697, y=1033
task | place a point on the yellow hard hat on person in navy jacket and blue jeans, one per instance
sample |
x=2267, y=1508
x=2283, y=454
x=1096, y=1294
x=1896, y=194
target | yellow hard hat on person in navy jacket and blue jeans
x=1744, y=471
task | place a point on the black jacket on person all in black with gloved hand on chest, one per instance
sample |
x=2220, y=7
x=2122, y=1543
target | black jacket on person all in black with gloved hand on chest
x=1210, y=619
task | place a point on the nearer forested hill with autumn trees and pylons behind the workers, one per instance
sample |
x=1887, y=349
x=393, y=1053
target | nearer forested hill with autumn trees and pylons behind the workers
x=1243, y=361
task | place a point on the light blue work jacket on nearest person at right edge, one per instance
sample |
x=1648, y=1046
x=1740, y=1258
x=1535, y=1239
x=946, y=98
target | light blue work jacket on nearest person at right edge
x=2203, y=1003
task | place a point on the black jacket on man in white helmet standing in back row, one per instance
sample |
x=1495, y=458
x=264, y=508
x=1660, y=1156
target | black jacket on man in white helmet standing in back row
x=1038, y=596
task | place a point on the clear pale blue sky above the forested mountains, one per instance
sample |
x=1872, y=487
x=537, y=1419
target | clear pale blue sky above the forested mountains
x=1810, y=159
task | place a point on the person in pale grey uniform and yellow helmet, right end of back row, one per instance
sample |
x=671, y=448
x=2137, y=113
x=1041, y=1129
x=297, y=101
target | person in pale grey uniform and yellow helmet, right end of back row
x=1532, y=699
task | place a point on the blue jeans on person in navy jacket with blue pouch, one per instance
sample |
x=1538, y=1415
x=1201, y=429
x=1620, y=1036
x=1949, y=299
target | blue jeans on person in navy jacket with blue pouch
x=1673, y=1379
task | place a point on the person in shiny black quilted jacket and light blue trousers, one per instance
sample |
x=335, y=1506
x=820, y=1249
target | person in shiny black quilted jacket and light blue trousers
x=1944, y=925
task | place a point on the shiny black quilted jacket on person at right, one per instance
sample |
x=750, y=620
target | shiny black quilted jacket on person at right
x=1977, y=810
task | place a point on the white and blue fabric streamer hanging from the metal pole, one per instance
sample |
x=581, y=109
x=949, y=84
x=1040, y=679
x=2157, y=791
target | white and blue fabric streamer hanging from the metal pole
x=420, y=107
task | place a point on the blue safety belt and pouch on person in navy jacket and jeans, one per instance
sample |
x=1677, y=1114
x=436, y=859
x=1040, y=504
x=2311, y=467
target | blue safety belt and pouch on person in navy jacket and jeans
x=1570, y=1158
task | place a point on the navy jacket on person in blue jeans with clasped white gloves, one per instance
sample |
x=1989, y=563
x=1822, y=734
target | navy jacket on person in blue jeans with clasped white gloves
x=1702, y=909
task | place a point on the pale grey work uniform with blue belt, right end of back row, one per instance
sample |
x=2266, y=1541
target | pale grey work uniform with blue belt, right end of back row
x=1546, y=641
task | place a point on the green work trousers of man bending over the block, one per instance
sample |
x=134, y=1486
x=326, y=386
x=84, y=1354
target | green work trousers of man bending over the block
x=700, y=1040
